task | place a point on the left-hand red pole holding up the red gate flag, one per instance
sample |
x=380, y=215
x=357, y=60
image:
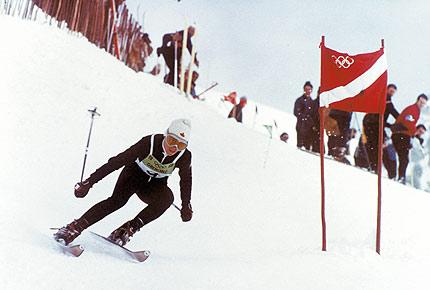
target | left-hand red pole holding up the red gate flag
x=321, y=112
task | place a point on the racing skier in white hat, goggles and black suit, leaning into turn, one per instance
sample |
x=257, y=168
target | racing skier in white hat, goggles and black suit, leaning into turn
x=148, y=164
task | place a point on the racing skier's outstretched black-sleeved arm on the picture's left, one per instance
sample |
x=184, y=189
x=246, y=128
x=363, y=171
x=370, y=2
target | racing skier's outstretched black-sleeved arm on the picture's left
x=116, y=162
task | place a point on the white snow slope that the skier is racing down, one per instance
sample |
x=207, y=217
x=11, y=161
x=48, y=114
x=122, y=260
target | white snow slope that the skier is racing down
x=256, y=224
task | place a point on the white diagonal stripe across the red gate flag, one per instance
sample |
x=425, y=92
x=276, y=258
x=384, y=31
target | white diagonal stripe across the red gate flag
x=356, y=86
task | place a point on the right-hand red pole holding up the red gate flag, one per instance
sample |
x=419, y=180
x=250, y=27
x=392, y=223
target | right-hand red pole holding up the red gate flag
x=380, y=142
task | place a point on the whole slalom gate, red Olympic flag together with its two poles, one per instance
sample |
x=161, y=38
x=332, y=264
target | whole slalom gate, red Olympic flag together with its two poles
x=353, y=83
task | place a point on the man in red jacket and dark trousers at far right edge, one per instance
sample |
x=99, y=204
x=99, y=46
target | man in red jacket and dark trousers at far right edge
x=403, y=130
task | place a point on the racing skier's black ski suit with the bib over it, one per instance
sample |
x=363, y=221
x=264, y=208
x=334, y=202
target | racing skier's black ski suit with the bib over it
x=144, y=176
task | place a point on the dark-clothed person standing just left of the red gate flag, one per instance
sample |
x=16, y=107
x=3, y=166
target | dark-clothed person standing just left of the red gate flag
x=303, y=108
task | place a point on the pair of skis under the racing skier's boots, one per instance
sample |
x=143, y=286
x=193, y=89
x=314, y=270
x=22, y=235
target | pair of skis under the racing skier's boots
x=77, y=250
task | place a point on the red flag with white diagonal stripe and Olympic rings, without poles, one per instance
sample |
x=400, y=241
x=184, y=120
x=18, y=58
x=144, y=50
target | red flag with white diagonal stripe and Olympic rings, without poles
x=353, y=83
